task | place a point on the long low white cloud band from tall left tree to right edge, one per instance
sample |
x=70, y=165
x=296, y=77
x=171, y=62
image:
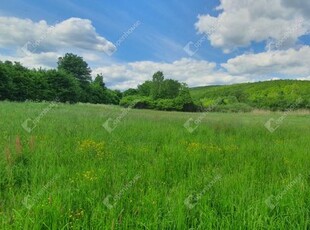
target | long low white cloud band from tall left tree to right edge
x=293, y=63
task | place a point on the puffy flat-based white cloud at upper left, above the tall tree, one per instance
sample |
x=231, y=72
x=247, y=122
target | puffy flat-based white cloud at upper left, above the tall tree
x=37, y=37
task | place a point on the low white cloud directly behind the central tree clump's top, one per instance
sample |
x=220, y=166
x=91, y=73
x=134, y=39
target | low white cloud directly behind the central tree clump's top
x=193, y=72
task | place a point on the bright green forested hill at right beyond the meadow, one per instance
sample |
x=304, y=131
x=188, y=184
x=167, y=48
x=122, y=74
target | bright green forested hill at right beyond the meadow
x=275, y=95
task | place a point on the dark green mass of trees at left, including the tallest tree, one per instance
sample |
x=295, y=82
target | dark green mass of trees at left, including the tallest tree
x=69, y=83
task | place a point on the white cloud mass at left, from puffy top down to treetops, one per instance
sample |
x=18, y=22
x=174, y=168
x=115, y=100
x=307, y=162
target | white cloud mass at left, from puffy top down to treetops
x=38, y=44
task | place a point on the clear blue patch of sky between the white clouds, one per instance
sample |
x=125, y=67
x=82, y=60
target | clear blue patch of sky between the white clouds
x=162, y=22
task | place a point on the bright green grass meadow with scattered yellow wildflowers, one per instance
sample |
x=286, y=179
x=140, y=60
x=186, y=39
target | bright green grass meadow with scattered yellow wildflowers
x=149, y=171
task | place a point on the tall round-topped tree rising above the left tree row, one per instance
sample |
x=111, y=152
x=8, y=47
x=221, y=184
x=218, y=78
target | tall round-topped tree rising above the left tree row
x=76, y=66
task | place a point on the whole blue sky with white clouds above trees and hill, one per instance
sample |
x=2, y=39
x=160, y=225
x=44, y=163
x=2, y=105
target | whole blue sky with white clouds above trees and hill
x=201, y=42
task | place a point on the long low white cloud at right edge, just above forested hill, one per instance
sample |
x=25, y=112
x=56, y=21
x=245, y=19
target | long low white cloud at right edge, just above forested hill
x=286, y=62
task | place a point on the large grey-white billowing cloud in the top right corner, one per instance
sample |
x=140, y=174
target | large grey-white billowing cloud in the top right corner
x=241, y=22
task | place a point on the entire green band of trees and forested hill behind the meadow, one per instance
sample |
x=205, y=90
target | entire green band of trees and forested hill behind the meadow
x=72, y=82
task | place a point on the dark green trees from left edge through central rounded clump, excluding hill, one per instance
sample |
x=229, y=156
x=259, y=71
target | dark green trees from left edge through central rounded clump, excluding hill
x=72, y=82
